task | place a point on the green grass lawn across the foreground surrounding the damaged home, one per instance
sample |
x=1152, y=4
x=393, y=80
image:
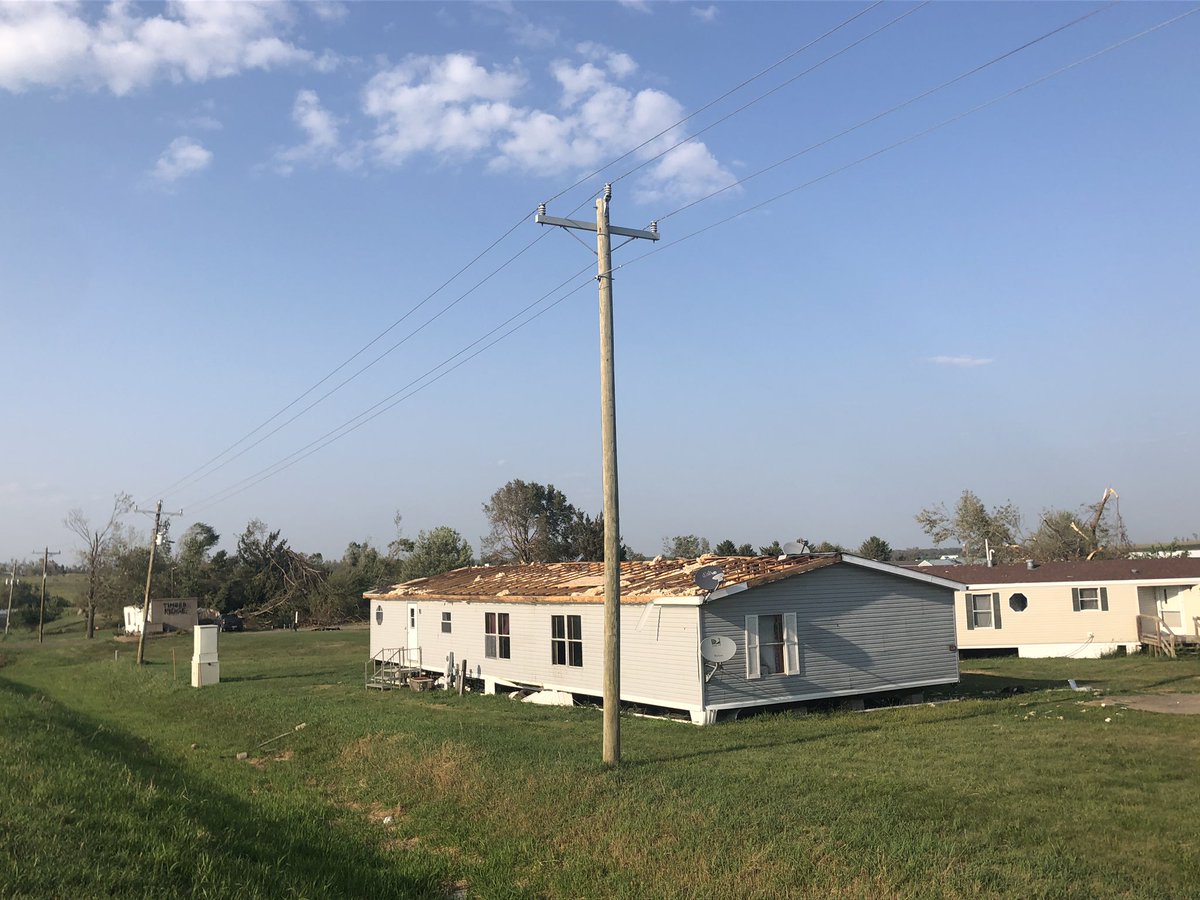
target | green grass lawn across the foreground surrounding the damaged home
x=119, y=782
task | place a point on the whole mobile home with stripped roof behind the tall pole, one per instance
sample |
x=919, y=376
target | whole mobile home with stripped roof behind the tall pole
x=778, y=631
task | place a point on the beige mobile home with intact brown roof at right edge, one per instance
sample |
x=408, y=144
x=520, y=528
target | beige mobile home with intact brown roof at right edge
x=1078, y=609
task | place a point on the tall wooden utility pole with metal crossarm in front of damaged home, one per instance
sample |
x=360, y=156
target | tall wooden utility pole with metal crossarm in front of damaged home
x=609, y=457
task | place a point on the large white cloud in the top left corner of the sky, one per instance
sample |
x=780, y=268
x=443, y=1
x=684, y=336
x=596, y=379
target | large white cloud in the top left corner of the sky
x=45, y=45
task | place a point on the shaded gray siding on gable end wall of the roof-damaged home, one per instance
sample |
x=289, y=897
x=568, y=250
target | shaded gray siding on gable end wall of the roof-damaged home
x=860, y=631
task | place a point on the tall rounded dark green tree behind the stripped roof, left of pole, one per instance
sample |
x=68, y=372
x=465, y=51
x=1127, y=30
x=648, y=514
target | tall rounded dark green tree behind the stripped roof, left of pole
x=531, y=524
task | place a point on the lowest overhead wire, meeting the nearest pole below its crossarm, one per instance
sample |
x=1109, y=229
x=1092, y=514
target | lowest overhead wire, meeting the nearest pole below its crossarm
x=400, y=397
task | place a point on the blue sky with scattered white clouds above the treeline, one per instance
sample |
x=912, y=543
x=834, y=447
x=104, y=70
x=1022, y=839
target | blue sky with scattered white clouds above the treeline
x=209, y=208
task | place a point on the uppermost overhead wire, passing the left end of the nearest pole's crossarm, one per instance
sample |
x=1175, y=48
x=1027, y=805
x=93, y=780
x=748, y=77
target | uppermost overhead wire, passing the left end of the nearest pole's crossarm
x=208, y=467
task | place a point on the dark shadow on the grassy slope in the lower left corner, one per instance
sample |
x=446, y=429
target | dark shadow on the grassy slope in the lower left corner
x=260, y=853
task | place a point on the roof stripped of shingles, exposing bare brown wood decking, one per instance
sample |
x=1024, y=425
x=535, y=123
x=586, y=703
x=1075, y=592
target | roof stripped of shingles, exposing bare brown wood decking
x=584, y=583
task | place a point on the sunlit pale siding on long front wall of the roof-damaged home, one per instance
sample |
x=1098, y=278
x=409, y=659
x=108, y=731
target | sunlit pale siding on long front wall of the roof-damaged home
x=659, y=652
